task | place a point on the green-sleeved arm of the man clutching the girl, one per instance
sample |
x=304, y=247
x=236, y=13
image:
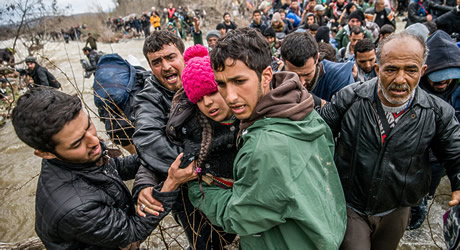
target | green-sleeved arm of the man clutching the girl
x=257, y=200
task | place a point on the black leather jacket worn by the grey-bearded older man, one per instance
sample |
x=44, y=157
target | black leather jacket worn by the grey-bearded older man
x=375, y=177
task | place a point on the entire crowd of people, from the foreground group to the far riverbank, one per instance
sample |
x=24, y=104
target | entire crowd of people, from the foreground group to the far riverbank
x=316, y=127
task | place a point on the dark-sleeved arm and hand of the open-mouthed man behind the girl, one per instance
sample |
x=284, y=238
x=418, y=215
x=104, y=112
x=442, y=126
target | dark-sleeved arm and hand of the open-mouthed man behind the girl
x=155, y=151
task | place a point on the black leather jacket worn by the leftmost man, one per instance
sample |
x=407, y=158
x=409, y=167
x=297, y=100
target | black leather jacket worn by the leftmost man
x=86, y=206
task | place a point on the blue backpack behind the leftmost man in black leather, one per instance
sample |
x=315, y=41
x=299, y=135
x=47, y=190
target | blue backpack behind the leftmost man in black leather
x=113, y=81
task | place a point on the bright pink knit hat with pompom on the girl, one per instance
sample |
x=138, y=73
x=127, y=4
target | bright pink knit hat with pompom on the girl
x=197, y=77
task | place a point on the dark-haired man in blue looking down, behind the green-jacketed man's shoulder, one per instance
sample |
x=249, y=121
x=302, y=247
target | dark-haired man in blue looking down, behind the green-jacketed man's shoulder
x=300, y=54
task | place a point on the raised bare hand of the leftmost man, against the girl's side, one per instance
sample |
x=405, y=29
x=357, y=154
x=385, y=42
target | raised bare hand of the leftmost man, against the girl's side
x=178, y=176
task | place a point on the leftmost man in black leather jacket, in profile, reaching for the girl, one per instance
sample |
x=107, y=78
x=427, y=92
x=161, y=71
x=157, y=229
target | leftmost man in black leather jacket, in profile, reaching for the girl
x=81, y=200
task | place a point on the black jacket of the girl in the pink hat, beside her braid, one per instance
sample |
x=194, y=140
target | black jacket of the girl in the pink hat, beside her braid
x=187, y=133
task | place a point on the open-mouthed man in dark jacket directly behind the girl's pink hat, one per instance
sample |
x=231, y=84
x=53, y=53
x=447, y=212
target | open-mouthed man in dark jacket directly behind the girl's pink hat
x=164, y=52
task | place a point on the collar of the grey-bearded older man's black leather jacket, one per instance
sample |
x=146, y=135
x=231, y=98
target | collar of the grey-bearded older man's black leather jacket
x=366, y=90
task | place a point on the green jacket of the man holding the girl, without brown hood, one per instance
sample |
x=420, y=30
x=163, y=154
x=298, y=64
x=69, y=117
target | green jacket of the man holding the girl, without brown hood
x=287, y=193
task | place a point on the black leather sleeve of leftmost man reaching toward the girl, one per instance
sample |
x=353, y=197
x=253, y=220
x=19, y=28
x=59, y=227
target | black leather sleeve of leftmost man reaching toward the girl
x=100, y=224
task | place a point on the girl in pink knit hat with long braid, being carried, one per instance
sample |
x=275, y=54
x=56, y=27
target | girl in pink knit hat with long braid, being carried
x=202, y=123
